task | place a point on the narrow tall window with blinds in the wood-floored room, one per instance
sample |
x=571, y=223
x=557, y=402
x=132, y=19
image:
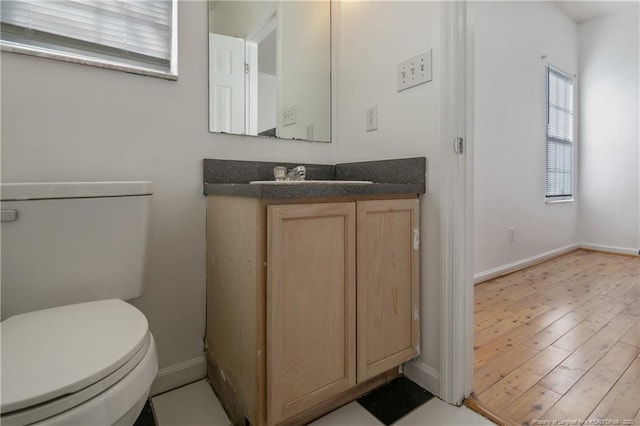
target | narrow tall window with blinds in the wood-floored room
x=559, y=163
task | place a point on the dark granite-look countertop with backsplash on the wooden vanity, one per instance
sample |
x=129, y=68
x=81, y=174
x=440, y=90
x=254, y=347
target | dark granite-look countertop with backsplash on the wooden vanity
x=389, y=177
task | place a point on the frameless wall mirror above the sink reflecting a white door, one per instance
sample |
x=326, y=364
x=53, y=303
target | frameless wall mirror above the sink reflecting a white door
x=270, y=68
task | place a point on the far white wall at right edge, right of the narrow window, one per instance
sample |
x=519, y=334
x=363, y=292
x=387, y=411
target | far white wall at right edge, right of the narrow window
x=609, y=188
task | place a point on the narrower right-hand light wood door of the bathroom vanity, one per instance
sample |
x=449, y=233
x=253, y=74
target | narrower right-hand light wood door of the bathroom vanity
x=388, y=277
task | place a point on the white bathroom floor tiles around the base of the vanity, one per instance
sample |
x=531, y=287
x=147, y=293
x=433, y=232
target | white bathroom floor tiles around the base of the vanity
x=197, y=405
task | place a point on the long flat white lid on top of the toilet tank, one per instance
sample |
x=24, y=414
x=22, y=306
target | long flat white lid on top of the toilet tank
x=53, y=190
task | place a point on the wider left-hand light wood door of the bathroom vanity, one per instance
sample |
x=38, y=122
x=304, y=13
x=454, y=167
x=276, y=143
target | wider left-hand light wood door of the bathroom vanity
x=310, y=305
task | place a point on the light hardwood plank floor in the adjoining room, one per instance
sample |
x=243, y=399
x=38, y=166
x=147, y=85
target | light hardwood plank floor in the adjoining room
x=560, y=341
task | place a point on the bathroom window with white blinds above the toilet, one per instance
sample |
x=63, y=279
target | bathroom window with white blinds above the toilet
x=129, y=35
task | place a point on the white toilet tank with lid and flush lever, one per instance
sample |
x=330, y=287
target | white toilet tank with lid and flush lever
x=71, y=242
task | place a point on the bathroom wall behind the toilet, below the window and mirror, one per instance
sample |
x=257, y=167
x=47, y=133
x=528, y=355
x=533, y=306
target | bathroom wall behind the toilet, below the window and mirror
x=66, y=122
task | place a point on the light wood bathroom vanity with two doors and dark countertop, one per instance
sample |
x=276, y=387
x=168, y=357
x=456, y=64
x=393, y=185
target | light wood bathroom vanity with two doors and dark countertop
x=312, y=289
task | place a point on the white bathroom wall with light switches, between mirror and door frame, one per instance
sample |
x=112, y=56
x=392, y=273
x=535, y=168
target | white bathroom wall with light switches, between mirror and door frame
x=370, y=38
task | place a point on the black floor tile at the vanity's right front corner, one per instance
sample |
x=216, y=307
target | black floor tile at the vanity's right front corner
x=392, y=401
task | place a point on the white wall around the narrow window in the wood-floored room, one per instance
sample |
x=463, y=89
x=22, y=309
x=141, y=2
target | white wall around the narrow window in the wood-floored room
x=510, y=38
